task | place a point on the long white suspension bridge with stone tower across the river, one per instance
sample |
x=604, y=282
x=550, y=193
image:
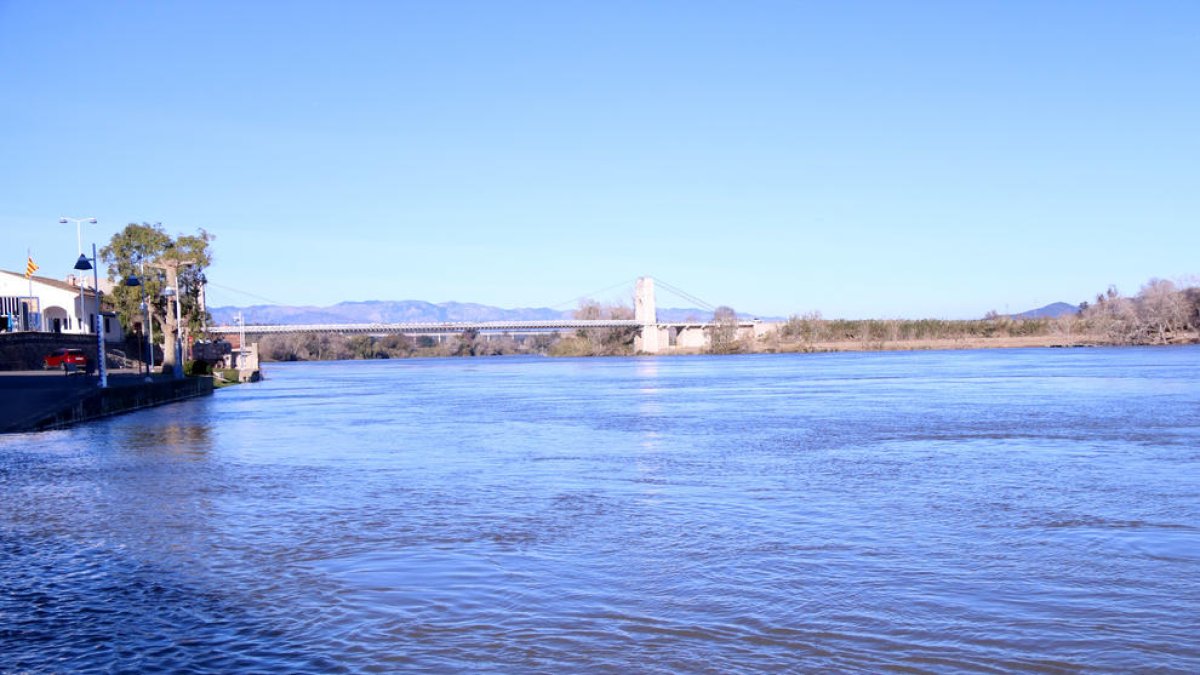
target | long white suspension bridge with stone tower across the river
x=653, y=337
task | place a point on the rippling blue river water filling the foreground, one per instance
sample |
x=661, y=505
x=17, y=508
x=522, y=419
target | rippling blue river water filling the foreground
x=968, y=511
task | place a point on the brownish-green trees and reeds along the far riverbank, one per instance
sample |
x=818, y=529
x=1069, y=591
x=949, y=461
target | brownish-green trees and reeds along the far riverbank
x=1161, y=314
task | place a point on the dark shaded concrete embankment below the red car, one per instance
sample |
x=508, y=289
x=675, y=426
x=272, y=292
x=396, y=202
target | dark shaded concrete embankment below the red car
x=41, y=402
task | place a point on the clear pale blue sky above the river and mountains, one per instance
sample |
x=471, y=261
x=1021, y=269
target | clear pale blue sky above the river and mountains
x=860, y=159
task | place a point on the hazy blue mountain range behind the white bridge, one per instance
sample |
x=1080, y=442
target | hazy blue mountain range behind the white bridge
x=411, y=312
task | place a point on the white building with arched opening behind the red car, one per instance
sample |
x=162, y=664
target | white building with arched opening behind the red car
x=47, y=306
